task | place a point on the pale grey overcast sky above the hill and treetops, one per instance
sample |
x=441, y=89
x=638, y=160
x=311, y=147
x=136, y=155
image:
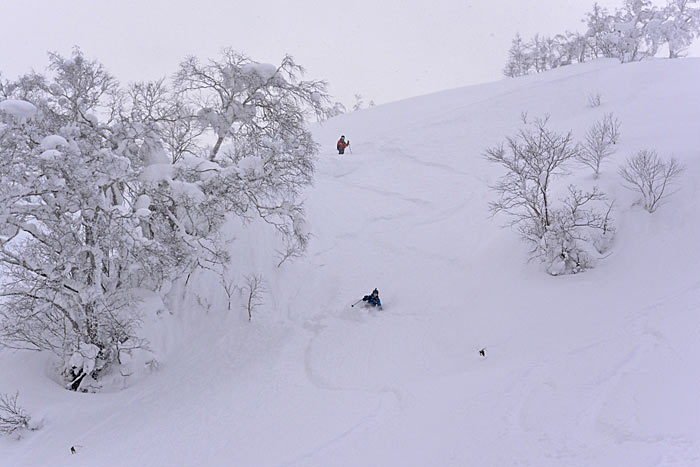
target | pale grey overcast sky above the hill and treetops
x=384, y=49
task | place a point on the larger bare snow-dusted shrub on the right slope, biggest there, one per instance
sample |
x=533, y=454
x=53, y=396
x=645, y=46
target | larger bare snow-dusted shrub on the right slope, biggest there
x=566, y=238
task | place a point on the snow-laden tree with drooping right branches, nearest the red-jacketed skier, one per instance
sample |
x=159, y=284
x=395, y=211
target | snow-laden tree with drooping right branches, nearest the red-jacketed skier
x=263, y=153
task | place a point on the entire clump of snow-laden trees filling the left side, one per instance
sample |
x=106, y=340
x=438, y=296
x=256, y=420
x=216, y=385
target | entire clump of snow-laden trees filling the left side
x=104, y=191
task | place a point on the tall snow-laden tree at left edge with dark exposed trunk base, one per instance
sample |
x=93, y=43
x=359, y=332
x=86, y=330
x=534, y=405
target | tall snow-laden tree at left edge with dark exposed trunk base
x=71, y=245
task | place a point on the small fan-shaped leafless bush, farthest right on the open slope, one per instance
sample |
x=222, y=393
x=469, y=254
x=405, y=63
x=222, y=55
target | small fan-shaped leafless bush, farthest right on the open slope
x=651, y=176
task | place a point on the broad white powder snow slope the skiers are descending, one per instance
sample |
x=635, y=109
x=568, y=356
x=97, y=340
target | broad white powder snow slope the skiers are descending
x=592, y=369
